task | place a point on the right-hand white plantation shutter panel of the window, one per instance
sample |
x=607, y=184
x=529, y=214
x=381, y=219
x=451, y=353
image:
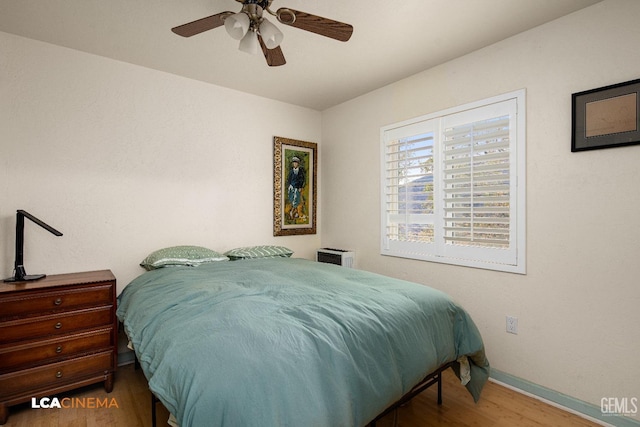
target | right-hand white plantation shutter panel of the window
x=478, y=184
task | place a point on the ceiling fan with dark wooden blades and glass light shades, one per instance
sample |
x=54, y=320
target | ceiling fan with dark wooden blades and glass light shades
x=254, y=31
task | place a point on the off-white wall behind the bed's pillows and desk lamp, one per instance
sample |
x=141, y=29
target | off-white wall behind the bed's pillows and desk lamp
x=124, y=160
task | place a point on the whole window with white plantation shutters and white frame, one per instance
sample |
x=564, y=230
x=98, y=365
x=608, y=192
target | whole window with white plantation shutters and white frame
x=453, y=186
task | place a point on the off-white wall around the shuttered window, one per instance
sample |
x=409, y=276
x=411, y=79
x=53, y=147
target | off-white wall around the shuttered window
x=578, y=304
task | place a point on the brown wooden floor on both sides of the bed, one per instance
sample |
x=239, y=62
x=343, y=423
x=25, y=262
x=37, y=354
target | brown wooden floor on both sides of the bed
x=498, y=407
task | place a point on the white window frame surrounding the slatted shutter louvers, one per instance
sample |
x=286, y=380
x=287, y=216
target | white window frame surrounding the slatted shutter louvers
x=492, y=258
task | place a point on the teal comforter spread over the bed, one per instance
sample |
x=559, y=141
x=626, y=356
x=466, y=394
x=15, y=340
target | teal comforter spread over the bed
x=290, y=342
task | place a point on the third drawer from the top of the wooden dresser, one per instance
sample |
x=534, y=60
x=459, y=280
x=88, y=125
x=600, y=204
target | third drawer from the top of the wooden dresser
x=20, y=355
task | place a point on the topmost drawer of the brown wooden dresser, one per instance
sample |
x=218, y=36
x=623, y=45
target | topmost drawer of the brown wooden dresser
x=52, y=300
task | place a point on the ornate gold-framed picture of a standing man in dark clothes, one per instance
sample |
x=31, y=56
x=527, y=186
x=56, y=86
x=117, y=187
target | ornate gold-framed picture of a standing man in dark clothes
x=294, y=186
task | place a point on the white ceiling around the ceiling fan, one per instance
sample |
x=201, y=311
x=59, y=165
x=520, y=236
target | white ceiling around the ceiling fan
x=391, y=39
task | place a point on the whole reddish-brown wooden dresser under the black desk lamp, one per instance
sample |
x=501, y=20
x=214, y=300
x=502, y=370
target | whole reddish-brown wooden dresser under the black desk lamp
x=56, y=334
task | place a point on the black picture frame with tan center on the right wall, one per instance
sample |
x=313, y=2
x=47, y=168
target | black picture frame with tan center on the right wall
x=606, y=117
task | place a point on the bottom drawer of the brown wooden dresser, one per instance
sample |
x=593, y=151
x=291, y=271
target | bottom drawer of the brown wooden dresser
x=56, y=374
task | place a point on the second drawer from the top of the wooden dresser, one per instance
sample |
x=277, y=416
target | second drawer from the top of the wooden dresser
x=57, y=324
